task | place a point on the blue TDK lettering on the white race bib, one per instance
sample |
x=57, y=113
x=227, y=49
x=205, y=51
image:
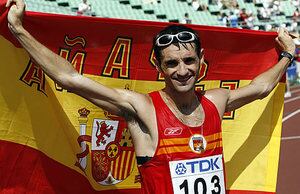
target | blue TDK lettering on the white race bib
x=205, y=165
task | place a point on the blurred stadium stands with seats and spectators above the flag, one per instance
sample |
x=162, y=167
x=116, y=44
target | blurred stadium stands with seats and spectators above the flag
x=250, y=14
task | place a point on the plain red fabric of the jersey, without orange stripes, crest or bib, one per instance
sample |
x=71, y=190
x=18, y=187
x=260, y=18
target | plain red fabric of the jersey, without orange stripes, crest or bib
x=155, y=173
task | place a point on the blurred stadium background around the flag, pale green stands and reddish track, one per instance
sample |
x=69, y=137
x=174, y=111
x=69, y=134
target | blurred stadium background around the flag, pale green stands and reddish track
x=266, y=15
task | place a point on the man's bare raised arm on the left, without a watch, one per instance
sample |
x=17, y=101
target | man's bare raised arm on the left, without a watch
x=116, y=101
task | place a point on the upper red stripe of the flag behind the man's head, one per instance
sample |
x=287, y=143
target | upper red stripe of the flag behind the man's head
x=231, y=54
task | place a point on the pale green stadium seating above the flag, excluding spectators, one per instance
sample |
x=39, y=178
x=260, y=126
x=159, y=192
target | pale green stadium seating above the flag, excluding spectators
x=170, y=11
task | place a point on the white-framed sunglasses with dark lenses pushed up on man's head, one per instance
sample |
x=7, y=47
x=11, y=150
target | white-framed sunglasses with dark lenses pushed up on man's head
x=167, y=39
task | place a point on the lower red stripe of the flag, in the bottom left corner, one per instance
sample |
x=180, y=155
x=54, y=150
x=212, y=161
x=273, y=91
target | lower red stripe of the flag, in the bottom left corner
x=41, y=175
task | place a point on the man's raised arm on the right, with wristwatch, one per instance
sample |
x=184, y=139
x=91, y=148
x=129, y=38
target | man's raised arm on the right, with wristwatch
x=264, y=83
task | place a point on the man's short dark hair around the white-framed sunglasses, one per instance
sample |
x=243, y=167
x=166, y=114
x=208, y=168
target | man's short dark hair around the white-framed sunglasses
x=174, y=29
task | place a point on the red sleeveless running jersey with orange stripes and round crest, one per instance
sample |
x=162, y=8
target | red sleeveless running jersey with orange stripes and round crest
x=178, y=142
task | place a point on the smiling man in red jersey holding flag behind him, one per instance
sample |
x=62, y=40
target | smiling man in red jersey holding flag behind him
x=169, y=127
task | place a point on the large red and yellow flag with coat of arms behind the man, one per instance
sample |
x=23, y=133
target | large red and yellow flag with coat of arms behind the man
x=52, y=141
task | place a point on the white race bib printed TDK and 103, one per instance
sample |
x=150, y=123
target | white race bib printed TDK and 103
x=198, y=176
